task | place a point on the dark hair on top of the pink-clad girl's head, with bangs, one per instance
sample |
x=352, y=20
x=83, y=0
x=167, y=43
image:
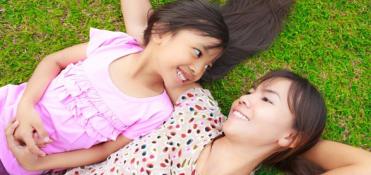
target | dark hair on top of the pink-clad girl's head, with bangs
x=188, y=14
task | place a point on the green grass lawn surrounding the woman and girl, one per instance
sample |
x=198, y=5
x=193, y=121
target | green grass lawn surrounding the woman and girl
x=327, y=41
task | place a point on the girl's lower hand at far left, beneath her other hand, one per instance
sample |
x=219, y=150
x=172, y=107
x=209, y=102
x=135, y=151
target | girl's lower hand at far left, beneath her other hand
x=24, y=157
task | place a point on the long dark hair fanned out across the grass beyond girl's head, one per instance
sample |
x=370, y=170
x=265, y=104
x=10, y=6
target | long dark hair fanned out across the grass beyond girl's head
x=253, y=25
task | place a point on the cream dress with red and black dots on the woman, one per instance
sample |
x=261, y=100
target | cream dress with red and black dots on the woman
x=174, y=148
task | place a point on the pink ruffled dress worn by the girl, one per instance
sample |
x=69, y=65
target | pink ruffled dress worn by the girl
x=81, y=107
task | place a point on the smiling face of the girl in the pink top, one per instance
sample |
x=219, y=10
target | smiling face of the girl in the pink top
x=183, y=57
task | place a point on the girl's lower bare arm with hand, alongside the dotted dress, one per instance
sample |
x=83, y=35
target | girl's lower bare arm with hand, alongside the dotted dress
x=64, y=160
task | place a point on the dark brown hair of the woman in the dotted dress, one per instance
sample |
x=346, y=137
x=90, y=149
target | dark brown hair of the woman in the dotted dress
x=309, y=110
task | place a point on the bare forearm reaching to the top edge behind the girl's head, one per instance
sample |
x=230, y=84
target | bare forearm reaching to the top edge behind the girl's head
x=135, y=14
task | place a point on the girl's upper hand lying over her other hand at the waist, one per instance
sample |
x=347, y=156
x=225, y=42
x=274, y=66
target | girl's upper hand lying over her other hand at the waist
x=31, y=131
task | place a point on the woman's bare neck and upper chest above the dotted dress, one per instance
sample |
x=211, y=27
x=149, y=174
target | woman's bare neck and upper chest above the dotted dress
x=226, y=157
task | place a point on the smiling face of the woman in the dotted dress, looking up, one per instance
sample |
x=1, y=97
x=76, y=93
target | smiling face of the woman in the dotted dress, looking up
x=262, y=116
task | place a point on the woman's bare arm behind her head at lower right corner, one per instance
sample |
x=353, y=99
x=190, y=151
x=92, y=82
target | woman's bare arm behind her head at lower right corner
x=339, y=158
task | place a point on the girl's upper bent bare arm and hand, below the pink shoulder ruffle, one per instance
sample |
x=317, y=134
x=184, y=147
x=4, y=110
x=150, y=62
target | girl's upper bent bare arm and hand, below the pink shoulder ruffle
x=46, y=70
